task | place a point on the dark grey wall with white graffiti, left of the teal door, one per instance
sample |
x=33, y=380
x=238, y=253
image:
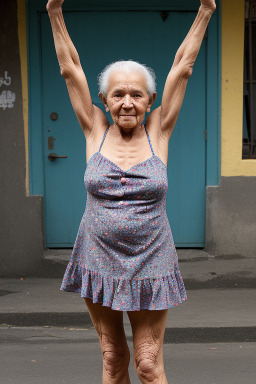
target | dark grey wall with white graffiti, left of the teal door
x=21, y=229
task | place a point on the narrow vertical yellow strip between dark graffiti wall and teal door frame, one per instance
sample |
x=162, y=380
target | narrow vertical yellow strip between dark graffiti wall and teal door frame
x=24, y=77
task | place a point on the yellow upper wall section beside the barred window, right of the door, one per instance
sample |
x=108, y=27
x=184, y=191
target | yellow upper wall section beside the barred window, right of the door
x=232, y=91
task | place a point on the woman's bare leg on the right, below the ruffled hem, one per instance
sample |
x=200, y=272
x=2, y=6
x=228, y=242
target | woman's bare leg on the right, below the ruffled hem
x=148, y=336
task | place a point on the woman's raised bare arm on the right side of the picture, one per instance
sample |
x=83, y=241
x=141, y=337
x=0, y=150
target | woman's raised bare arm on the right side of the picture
x=182, y=67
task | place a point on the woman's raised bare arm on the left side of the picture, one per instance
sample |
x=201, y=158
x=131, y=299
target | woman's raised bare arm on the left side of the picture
x=70, y=68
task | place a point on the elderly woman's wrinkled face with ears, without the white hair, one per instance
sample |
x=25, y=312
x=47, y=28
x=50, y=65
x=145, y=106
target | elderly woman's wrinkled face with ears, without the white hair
x=127, y=99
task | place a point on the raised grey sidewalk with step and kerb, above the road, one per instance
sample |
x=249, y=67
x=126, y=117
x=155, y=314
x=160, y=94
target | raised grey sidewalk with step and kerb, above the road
x=220, y=307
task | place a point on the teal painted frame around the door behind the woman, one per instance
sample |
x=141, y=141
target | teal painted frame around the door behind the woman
x=34, y=9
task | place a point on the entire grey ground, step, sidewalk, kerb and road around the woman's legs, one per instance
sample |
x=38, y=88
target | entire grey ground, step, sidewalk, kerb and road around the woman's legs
x=46, y=335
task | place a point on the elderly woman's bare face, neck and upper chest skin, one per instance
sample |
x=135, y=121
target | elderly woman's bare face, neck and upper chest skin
x=128, y=101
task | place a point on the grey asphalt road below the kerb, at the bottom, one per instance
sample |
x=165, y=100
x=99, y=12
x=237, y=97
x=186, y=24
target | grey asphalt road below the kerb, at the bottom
x=67, y=356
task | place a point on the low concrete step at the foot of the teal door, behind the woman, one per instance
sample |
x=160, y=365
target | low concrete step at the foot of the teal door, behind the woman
x=199, y=269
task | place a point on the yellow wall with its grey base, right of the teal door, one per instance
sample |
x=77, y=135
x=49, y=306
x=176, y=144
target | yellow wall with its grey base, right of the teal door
x=231, y=206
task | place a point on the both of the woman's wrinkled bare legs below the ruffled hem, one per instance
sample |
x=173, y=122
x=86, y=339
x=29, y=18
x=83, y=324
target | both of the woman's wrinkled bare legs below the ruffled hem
x=148, y=335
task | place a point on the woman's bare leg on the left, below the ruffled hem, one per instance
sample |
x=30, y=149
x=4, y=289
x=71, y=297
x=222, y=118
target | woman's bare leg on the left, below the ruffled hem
x=113, y=343
